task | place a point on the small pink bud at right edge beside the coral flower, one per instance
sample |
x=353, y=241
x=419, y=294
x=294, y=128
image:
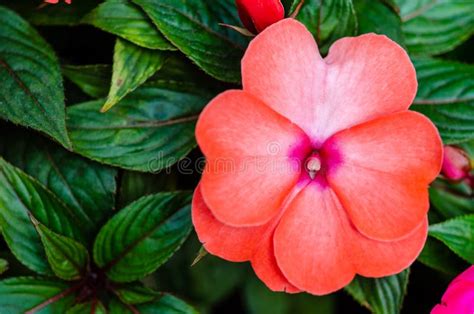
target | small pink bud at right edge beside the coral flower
x=456, y=163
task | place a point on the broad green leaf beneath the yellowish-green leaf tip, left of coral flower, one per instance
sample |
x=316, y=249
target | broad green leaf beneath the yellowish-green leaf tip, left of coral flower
x=150, y=129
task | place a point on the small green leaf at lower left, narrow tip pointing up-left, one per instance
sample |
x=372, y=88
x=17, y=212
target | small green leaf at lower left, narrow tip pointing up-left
x=68, y=258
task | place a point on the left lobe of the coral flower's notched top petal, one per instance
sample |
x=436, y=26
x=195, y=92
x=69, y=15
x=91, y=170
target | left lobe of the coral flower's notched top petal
x=282, y=66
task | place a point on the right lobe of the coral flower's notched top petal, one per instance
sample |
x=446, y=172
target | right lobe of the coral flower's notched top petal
x=368, y=76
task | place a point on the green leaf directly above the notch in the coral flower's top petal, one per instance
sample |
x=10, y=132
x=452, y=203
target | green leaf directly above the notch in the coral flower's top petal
x=328, y=20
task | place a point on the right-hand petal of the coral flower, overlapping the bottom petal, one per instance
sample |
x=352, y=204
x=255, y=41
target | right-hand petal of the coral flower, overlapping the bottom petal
x=386, y=166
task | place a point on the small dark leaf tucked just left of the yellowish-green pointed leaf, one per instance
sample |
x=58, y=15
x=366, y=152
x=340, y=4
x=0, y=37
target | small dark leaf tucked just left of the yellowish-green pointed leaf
x=94, y=80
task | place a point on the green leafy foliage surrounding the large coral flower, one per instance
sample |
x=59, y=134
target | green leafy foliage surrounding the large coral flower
x=159, y=61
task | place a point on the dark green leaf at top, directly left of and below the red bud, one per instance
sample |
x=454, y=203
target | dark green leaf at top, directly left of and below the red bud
x=193, y=27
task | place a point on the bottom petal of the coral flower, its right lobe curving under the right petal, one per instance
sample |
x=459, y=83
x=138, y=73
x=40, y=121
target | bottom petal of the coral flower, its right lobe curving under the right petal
x=319, y=251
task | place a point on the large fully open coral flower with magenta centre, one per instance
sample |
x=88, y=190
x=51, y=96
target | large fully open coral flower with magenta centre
x=316, y=171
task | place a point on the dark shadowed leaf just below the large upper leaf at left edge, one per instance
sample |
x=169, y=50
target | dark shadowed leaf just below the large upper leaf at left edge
x=85, y=187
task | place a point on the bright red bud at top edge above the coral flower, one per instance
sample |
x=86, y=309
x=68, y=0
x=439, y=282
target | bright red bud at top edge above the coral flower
x=256, y=15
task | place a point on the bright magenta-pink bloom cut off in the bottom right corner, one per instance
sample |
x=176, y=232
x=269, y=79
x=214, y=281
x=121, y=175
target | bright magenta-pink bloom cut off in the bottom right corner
x=459, y=297
